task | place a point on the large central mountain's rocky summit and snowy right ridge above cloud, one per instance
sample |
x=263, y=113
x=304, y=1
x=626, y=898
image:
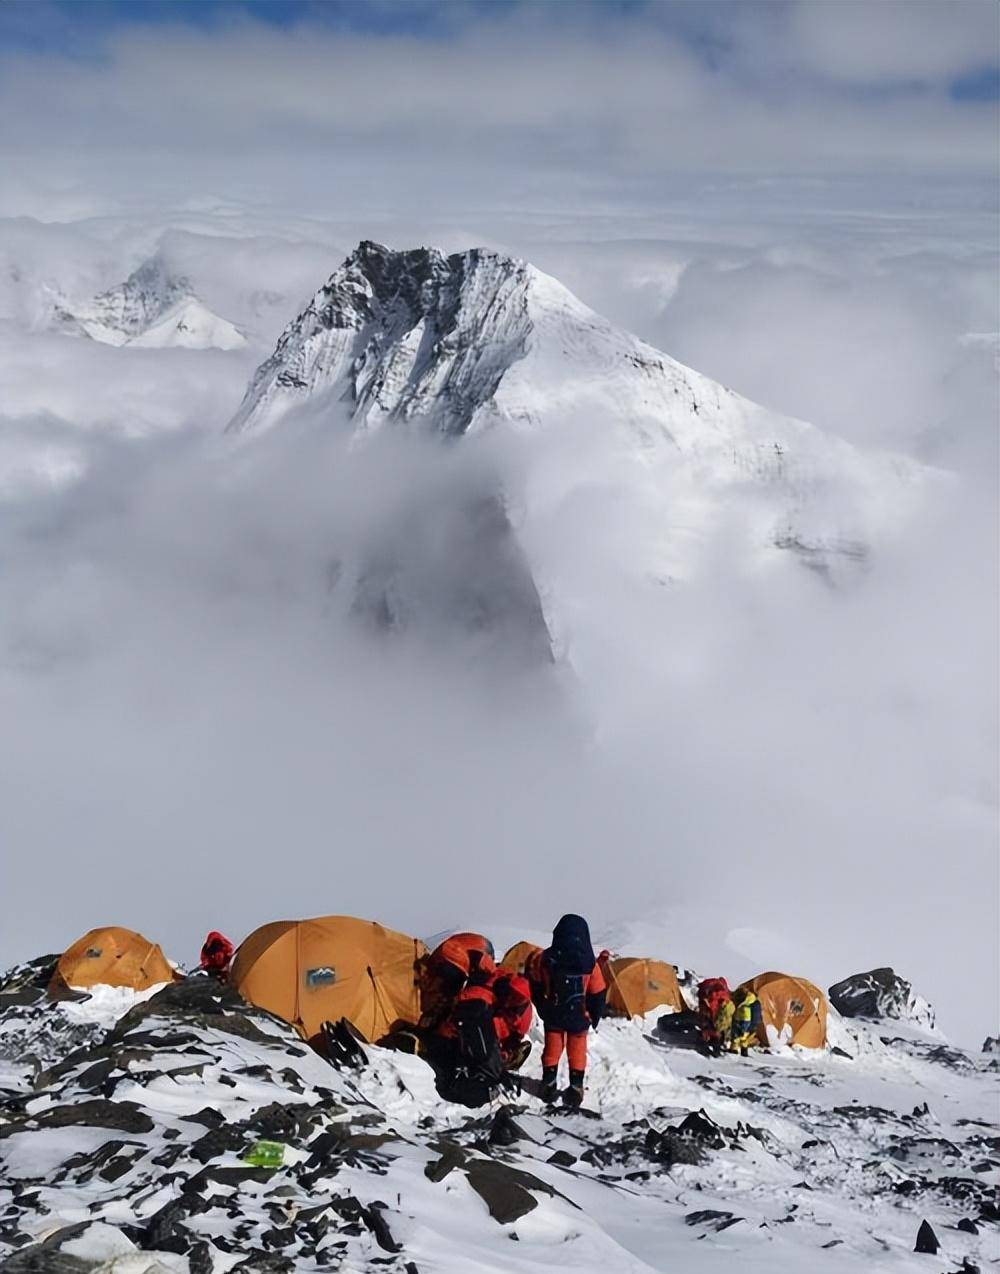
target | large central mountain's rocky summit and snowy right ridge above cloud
x=455, y=345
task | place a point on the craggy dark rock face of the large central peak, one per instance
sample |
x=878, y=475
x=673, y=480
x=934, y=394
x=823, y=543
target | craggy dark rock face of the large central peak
x=412, y=334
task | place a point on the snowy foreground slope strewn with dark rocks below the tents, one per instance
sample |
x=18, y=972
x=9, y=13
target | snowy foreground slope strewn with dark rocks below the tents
x=122, y=1147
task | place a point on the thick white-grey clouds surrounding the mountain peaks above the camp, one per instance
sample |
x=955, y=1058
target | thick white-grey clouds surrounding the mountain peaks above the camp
x=193, y=731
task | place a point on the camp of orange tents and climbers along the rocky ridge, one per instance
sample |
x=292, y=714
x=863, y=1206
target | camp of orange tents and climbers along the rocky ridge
x=339, y=982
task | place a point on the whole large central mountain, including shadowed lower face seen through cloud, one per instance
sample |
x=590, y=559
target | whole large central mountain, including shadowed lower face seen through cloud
x=454, y=346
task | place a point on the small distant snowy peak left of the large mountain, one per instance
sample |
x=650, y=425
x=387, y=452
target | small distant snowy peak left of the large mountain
x=152, y=309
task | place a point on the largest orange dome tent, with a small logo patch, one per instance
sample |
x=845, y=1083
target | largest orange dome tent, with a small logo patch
x=315, y=971
